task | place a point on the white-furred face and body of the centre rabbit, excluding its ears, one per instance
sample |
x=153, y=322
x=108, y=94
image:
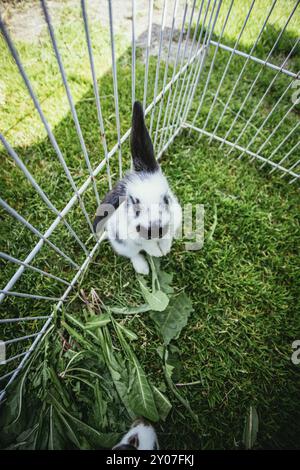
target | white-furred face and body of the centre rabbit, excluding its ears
x=148, y=188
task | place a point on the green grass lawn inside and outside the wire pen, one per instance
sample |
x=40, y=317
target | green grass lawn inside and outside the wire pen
x=244, y=283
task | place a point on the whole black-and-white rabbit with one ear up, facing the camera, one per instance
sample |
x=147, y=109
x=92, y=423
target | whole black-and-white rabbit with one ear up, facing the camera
x=148, y=214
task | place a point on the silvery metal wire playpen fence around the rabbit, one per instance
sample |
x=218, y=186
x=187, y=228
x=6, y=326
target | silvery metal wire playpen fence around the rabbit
x=193, y=55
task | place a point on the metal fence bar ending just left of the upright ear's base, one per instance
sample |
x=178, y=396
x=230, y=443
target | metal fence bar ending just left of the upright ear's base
x=115, y=82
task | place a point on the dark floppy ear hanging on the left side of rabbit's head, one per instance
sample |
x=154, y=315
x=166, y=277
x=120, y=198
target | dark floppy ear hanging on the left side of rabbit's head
x=109, y=204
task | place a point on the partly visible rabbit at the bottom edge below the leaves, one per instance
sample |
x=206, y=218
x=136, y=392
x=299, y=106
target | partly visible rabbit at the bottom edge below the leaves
x=141, y=436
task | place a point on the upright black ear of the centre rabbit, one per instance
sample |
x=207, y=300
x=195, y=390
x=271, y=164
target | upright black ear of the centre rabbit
x=141, y=145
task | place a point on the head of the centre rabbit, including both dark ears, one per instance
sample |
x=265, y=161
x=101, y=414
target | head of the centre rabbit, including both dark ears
x=145, y=190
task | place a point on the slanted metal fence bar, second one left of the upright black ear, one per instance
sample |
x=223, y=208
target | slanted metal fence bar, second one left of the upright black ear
x=96, y=91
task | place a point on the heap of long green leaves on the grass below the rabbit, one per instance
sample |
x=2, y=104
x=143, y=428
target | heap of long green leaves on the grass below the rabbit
x=85, y=382
